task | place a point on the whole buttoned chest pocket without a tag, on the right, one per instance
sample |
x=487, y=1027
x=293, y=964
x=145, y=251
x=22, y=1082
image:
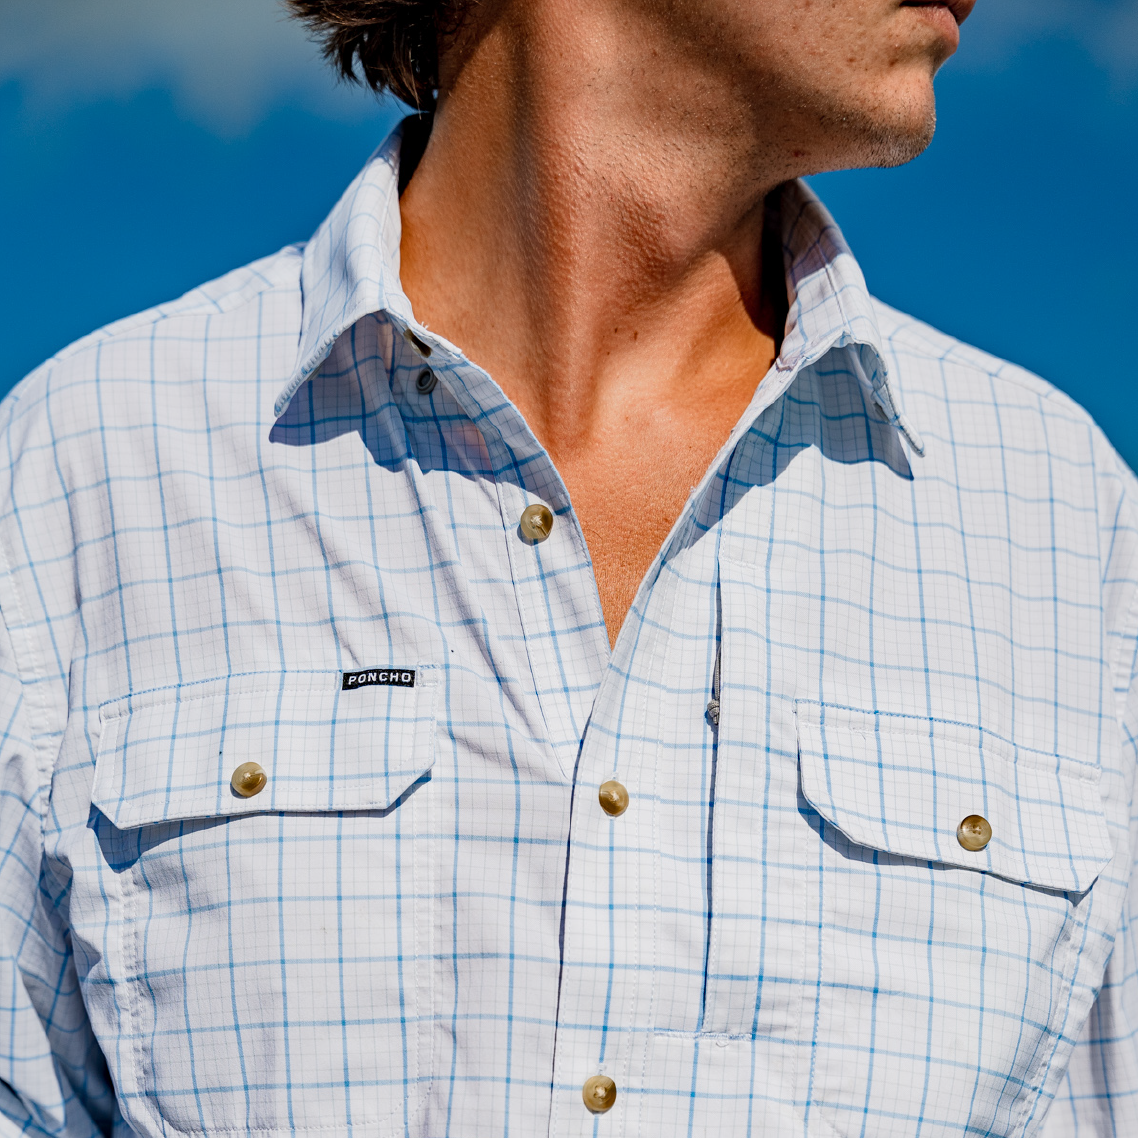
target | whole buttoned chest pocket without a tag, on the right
x=931, y=960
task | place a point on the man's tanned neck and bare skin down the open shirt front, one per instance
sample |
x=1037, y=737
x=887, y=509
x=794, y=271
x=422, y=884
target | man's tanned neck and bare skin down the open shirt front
x=588, y=228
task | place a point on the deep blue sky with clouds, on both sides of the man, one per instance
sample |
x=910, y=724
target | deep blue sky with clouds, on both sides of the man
x=146, y=147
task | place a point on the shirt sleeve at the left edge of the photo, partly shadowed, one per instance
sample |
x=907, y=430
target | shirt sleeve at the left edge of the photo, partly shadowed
x=53, y=1076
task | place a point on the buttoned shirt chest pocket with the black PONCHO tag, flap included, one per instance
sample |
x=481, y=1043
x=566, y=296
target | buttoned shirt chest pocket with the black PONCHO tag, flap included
x=274, y=950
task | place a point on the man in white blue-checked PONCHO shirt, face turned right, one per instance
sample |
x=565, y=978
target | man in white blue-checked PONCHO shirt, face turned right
x=555, y=656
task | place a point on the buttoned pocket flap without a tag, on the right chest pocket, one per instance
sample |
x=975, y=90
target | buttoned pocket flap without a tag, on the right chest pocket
x=904, y=785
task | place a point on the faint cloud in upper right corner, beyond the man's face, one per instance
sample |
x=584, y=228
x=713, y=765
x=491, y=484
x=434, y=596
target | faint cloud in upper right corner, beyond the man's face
x=1107, y=29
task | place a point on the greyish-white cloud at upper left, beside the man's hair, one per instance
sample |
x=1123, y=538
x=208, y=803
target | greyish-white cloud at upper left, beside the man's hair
x=227, y=62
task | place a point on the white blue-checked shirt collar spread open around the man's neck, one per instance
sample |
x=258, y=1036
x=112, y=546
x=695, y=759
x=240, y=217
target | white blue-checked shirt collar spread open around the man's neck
x=351, y=270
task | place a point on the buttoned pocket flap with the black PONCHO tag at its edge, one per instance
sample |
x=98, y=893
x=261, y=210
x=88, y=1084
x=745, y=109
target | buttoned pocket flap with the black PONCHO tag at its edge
x=170, y=754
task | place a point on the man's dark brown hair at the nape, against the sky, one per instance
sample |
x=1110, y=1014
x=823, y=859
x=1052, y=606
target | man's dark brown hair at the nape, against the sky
x=394, y=42
